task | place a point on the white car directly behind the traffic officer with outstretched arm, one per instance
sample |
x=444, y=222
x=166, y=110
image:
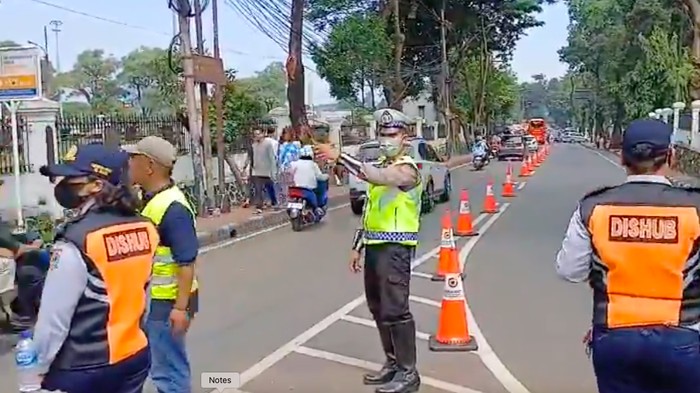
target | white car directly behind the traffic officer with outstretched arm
x=436, y=180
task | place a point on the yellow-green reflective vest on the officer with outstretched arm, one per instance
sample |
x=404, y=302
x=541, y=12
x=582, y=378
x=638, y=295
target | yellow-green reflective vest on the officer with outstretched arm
x=392, y=215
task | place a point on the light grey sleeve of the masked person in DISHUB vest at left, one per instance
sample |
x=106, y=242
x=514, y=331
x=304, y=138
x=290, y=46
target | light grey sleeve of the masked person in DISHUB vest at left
x=65, y=283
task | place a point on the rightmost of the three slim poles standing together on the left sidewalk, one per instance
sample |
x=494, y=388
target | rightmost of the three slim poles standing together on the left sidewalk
x=219, y=100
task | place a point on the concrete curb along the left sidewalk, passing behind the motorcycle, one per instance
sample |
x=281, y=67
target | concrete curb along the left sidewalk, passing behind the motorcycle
x=234, y=230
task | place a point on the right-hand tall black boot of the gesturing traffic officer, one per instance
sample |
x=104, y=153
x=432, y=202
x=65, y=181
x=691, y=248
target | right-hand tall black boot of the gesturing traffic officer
x=405, y=378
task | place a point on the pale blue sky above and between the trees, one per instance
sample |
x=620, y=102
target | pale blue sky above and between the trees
x=244, y=48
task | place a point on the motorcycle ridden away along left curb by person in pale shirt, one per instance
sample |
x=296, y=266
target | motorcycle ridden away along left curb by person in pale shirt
x=301, y=213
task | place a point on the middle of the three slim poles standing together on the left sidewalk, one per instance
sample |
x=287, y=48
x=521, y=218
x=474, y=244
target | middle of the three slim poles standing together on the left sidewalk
x=204, y=101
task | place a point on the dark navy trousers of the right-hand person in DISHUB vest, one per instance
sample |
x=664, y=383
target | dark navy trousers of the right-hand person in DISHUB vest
x=655, y=359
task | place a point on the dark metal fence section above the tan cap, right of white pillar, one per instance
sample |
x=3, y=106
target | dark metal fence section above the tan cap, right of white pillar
x=118, y=130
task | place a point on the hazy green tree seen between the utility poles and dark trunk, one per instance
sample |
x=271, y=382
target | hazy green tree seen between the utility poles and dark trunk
x=268, y=85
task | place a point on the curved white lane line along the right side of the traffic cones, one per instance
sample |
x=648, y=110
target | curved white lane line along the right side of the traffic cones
x=485, y=352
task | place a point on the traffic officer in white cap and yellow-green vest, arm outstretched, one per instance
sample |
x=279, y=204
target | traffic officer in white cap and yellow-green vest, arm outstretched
x=388, y=237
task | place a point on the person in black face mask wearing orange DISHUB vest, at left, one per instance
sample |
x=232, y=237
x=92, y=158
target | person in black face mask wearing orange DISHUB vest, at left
x=88, y=334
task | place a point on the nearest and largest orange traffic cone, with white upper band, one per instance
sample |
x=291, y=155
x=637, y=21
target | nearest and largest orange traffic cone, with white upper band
x=453, y=330
